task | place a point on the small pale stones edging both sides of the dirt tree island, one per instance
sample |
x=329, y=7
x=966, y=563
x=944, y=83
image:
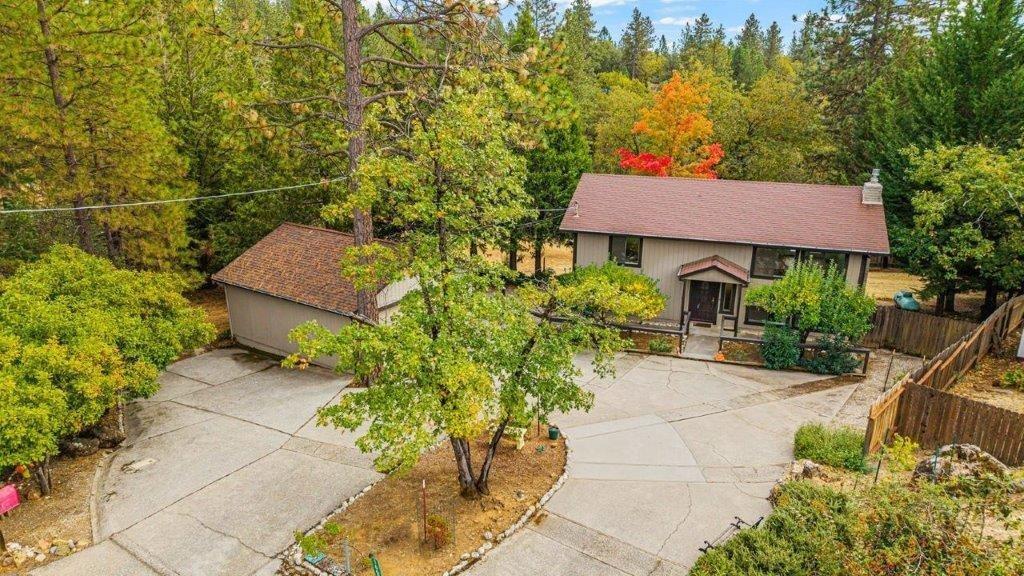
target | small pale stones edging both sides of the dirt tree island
x=293, y=558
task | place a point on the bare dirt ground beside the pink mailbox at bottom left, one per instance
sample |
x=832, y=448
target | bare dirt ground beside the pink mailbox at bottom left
x=64, y=515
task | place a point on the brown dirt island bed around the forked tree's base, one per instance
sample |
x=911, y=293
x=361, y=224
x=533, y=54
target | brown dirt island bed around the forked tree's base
x=389, y=521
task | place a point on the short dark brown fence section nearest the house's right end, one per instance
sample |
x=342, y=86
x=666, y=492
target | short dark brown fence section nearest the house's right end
x=915, y=333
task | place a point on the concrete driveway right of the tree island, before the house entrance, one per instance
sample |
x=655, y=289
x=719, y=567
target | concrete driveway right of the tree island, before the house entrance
x=671, y=454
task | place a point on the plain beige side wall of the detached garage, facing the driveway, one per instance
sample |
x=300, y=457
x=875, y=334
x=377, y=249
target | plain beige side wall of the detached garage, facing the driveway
x=264, y=322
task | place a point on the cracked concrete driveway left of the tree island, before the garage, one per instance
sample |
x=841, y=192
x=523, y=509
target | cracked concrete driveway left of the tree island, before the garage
x=222, y=467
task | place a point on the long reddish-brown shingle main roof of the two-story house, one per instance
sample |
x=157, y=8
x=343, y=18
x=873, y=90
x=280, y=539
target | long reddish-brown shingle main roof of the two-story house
x=830, y=218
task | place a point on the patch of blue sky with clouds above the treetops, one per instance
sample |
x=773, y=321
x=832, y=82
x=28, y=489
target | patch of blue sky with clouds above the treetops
x=670, y=16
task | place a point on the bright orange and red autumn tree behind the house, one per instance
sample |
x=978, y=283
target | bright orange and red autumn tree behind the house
x=677, y=133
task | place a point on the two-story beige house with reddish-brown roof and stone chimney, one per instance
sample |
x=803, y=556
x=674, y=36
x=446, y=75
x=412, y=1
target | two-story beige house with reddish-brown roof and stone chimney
x=707, y=241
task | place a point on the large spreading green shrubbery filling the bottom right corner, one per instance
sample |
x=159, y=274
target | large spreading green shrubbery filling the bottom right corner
x=890, y=528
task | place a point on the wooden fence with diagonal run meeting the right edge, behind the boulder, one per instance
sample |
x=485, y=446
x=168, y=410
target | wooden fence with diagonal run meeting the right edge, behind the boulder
x=919, y=406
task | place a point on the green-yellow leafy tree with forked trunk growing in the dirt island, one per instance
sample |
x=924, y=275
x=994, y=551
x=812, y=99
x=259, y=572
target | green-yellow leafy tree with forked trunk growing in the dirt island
x=462, y=358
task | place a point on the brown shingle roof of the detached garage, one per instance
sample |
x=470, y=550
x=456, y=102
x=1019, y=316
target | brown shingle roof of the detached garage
x=300, y=264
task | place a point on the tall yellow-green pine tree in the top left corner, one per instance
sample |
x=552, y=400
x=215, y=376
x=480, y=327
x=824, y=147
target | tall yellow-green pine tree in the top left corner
x=80, y=104
